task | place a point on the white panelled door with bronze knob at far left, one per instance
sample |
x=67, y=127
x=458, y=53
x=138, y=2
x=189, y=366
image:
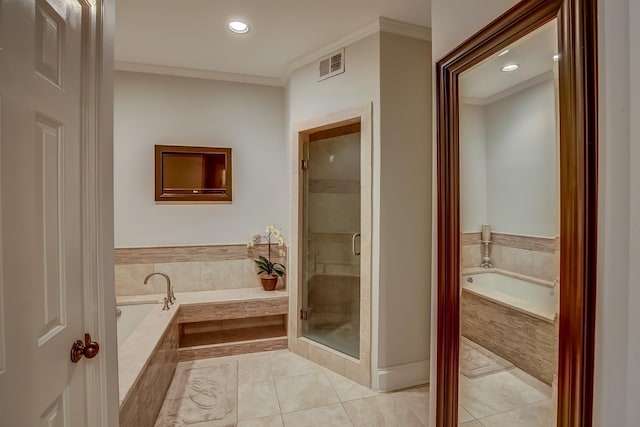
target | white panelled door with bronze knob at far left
x=44, y=98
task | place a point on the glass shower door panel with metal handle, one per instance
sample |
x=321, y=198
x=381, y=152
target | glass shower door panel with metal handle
x=331, y=241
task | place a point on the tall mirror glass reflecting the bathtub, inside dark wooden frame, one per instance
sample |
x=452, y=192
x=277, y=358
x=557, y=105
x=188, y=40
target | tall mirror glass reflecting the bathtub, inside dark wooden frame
x=509, y=222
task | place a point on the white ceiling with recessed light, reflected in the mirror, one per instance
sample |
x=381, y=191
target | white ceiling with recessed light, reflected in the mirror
x=533, y=53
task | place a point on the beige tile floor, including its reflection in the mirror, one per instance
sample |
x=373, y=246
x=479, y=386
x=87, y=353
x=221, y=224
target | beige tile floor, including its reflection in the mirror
x=279, y=389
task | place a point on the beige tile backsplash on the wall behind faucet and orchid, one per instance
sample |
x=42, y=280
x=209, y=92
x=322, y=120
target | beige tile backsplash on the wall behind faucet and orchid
x=191, y=268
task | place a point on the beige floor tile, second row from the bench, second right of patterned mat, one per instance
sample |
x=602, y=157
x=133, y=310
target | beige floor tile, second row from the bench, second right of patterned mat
x=305, y=392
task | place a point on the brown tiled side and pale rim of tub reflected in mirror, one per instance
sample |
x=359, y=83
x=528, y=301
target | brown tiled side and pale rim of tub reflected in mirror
x=523, y=334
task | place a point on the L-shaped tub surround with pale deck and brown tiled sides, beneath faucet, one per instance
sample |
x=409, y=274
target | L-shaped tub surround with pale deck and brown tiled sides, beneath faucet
x=148, y=357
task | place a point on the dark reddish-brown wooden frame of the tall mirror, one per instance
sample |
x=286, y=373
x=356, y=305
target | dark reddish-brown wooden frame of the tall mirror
x=577, y=39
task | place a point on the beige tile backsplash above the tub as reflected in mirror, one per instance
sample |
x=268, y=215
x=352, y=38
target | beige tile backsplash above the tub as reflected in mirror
x=537, y=257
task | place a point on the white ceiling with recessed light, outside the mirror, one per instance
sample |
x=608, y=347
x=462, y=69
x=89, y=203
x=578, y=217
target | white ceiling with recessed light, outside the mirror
x=193, y=34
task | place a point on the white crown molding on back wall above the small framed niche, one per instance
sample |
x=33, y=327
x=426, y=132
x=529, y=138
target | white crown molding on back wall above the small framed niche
x=196, y=73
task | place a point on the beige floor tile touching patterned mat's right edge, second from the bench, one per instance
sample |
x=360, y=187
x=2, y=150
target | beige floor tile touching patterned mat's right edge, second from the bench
x=257, y=400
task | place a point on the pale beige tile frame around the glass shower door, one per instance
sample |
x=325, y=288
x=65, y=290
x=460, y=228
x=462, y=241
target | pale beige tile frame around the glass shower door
x=358, y=370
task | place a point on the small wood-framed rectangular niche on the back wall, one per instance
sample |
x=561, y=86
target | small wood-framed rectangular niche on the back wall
x=185, y=174
